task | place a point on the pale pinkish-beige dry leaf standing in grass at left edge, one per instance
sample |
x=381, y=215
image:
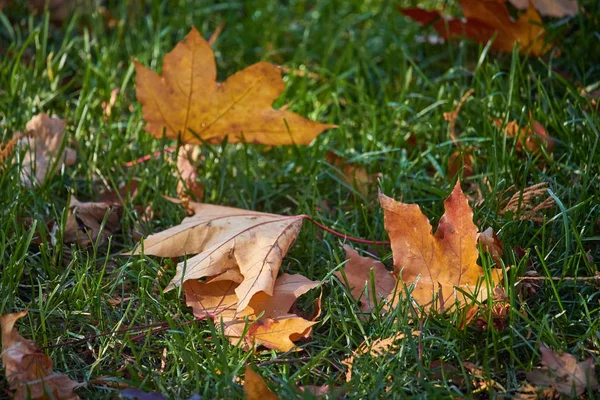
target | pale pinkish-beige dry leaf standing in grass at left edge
x=43, y=145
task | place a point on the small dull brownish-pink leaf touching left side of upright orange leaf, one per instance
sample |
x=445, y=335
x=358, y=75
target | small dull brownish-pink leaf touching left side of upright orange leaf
x=357, y=271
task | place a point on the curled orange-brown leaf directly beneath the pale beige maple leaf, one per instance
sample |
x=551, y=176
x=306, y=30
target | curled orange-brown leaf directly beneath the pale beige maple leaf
x=266, y=321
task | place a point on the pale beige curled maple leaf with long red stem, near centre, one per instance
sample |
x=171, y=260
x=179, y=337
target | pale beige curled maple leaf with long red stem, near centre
x=226, y=238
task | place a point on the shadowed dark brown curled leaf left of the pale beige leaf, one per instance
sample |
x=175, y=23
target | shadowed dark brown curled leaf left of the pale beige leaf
x=84, y=222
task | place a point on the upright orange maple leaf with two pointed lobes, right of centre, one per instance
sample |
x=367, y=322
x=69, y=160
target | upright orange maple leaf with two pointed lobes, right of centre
x=436, y=264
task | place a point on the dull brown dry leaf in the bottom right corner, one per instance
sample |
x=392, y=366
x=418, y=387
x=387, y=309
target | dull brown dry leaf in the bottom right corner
x=564, y=373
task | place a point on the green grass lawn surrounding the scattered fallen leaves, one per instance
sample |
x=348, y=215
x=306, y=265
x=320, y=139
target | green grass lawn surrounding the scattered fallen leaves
x=380, y=85
